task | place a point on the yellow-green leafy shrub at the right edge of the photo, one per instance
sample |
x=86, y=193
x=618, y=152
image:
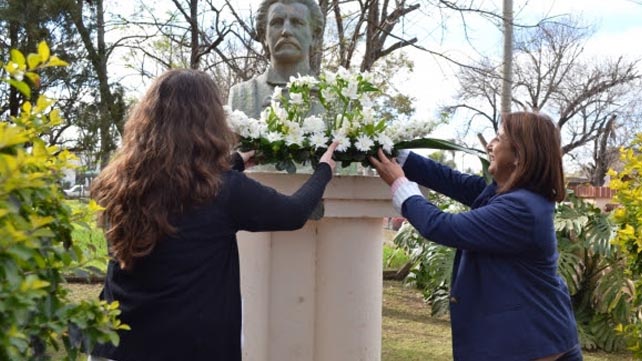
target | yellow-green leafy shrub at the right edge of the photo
x=628, y=218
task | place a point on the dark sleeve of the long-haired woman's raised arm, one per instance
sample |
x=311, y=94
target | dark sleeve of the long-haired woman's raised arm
x=256, y=207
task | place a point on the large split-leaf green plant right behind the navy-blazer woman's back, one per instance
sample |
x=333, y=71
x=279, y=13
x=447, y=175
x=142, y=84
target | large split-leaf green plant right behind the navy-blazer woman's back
x=595, y=274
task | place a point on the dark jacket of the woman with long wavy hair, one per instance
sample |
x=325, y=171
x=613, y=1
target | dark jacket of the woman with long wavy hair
x=183, y=300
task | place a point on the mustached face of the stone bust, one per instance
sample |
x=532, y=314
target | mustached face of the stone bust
x=289, y=32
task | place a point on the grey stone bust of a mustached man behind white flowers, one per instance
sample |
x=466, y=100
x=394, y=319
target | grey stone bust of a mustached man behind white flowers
x=289, y=31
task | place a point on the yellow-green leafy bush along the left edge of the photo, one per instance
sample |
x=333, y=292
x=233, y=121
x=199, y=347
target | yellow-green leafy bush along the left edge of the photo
x=36, y=224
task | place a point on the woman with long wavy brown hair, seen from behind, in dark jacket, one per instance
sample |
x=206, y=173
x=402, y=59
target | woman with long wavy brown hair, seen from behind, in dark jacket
x=172, y=207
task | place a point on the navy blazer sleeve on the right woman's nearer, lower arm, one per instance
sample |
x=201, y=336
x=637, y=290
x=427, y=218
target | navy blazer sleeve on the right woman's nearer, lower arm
x=503, y=226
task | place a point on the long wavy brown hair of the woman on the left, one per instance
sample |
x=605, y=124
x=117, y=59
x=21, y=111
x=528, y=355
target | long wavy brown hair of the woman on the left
x=176, y=145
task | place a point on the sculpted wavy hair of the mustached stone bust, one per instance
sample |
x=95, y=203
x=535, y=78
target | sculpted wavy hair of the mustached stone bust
x=316, y=18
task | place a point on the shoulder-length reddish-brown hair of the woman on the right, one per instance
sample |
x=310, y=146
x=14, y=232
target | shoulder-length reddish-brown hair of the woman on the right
x=537, y=144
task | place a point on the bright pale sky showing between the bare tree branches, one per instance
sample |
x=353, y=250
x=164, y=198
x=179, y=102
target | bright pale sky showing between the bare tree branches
x=617, y=24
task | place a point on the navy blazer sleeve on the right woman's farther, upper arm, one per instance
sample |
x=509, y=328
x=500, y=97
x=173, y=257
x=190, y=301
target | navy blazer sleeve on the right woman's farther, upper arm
x=461, y=187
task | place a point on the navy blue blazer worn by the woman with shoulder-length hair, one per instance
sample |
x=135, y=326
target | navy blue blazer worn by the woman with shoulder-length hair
x=508, y=303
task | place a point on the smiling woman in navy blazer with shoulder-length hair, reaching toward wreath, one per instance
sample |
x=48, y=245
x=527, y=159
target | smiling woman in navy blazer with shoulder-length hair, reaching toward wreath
x=507, y=302
